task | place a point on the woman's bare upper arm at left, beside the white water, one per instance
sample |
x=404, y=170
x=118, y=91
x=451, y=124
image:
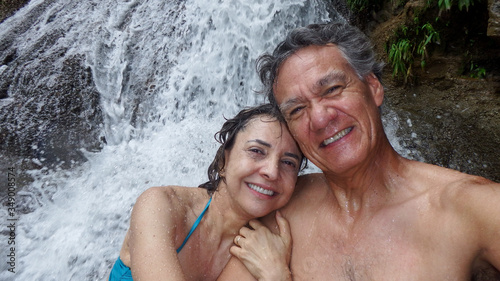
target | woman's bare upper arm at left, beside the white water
x=152, y=237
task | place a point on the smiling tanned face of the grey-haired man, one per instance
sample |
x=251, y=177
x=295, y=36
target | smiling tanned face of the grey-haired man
x=331, y=113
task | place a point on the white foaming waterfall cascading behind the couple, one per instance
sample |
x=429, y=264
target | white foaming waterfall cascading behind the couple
x=167, y=73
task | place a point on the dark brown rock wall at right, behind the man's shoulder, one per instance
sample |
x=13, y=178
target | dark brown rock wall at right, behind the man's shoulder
x=446, y=117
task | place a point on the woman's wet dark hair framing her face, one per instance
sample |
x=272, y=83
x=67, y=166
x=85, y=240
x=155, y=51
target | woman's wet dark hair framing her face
x=227, y=135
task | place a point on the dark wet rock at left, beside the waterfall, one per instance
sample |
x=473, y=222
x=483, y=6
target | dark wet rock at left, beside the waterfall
x=49, y=103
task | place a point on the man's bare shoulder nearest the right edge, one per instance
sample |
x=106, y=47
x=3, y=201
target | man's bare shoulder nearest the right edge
x=468, y=200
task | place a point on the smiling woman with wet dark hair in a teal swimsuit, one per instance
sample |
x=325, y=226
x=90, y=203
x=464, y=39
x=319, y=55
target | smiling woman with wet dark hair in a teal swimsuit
x=182, y=233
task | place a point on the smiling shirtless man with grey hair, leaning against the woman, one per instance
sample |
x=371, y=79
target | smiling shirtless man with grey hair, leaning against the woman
x=371, y=214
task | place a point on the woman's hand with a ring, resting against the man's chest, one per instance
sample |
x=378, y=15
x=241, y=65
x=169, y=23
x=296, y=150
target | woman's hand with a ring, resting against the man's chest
x=265, y=254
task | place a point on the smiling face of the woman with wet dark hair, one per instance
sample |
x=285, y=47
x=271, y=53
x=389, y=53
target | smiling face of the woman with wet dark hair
x=261, y=169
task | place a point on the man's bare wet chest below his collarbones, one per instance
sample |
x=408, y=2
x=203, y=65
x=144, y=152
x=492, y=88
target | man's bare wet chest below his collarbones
x=381, y=250
